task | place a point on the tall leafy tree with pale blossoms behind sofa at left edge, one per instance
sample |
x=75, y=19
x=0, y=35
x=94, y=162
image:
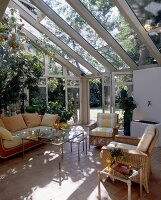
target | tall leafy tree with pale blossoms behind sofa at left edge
x=18, y=69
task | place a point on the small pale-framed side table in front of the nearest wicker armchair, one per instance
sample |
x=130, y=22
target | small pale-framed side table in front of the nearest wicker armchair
x=123, y=178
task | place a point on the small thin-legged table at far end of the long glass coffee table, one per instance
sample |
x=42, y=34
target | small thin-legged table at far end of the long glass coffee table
x=78, y=140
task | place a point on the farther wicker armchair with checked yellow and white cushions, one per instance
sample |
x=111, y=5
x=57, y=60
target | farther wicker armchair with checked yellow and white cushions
x=104, y=130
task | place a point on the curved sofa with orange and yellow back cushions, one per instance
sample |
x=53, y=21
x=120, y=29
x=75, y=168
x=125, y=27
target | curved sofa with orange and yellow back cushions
x=11, y=127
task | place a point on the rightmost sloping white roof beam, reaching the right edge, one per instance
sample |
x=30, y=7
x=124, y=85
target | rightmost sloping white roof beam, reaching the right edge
x=139, y=29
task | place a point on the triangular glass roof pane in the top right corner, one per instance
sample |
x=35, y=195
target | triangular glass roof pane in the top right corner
x=149, y=14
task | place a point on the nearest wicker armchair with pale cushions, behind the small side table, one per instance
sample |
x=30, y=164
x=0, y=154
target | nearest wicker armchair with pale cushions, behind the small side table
x=132, y=156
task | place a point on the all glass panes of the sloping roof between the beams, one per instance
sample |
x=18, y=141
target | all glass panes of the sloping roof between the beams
x=108, y=15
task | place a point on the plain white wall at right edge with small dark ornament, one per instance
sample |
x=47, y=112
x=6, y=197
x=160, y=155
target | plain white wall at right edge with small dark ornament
x=147, y=87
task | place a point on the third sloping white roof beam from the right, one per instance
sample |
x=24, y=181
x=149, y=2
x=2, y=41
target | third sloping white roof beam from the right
x=41, y=5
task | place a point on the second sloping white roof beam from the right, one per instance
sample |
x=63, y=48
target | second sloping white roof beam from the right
x=93, y=22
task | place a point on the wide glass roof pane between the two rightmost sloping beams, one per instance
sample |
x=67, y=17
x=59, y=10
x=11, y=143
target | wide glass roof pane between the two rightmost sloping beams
x=111, y=19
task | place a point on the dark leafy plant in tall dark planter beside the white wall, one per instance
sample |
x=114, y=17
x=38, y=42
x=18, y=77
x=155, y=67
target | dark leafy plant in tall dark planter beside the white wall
x=127, y=104
